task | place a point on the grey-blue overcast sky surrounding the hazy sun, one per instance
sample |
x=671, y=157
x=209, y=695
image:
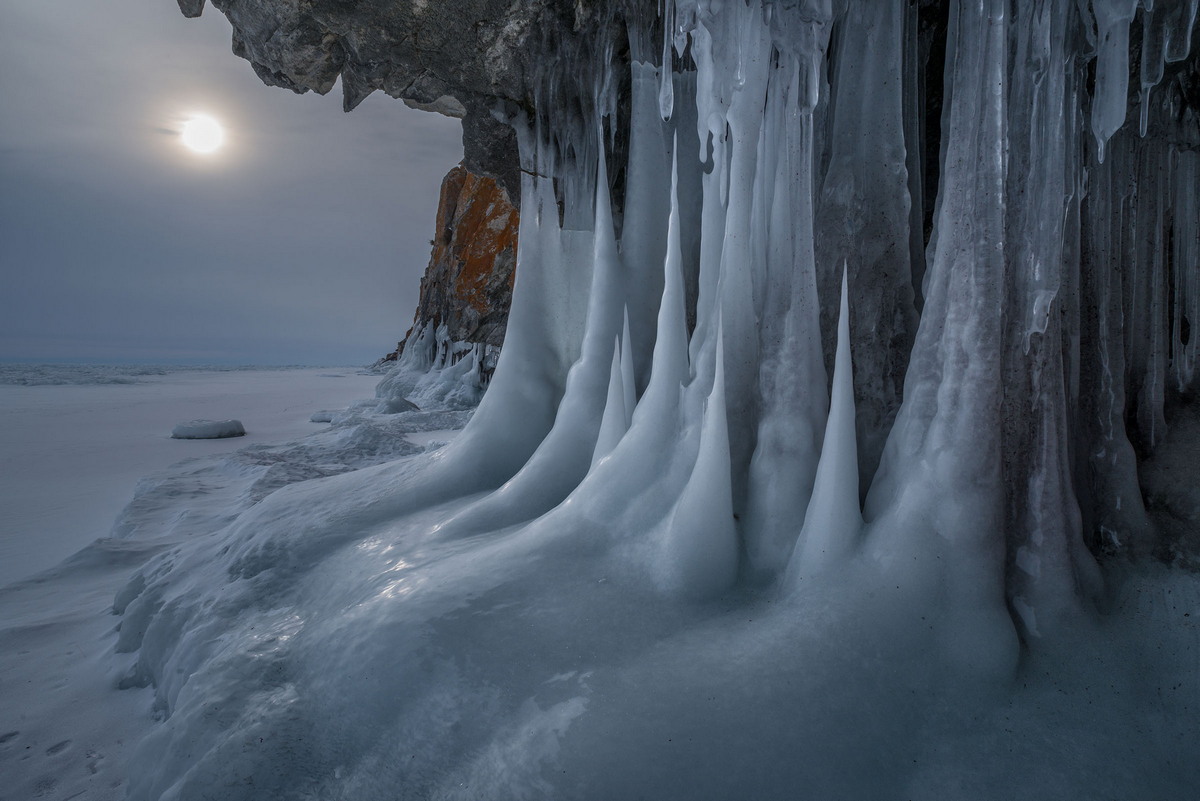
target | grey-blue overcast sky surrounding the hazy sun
x=301, y=242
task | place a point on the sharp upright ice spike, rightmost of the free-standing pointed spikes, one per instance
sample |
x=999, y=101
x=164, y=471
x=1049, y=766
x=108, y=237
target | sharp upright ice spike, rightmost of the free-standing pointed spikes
x=835, y=519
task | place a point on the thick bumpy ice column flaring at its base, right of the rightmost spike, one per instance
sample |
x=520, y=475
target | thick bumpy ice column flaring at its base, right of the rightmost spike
x=935, y=511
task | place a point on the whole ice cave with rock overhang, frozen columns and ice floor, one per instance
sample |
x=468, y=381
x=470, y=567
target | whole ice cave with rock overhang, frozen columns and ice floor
x=844, y=443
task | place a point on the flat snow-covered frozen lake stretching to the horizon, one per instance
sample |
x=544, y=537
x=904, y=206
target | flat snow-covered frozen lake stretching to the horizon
x=73, y=453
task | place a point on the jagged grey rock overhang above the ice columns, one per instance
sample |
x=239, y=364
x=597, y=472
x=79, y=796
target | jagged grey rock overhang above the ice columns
x=471, y=59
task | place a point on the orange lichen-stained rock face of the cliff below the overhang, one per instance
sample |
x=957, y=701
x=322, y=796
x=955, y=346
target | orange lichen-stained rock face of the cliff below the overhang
x=469, y=284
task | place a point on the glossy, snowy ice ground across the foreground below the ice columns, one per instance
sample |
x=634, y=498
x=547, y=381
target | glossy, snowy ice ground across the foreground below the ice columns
x=299, y=635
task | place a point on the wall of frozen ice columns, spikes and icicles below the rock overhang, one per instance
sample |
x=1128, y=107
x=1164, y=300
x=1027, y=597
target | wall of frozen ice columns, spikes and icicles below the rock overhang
x=776, y=154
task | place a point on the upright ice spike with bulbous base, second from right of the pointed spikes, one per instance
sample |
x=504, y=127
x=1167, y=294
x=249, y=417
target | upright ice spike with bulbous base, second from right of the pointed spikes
x=703, y=543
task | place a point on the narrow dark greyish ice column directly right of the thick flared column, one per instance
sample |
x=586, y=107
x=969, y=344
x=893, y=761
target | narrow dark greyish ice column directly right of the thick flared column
x=1049, y=569
